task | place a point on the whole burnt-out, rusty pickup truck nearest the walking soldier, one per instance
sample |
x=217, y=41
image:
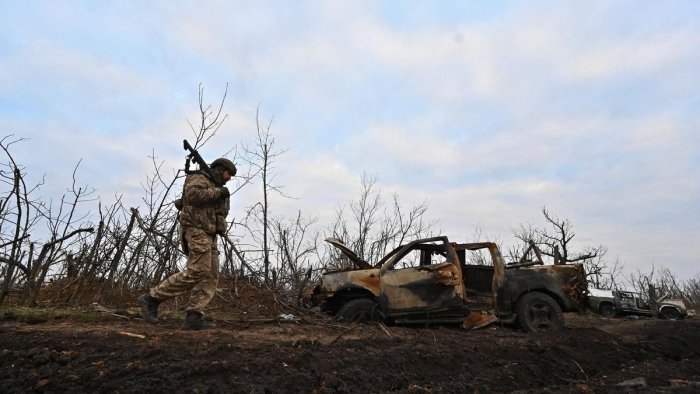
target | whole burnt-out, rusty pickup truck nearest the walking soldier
x=428, y=281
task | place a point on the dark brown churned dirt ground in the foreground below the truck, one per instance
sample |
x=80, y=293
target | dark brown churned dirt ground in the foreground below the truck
x=317, y=355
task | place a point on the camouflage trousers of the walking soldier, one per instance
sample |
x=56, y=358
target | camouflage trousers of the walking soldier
x=200, y=276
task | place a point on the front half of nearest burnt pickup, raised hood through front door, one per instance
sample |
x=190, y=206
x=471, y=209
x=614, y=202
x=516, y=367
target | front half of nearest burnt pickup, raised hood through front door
x=415, y=282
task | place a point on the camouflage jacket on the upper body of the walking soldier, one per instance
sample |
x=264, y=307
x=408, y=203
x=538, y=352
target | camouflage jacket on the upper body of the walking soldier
x=201, y=205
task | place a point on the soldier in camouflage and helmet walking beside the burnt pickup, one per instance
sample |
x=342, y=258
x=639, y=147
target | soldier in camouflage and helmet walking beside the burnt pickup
x=203, y=210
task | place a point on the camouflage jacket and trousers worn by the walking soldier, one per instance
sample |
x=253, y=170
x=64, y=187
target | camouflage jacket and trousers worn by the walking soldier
x=203, y=215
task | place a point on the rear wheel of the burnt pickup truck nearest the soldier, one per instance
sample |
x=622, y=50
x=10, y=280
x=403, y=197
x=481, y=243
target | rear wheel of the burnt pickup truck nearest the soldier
x=538, y=312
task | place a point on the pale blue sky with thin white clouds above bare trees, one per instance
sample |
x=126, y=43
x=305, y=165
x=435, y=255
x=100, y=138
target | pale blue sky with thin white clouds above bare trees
x=485, y=111
